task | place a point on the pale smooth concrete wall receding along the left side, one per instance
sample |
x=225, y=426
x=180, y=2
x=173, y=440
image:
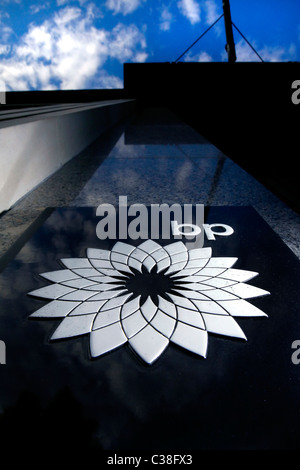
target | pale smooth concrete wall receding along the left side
x=33, y=148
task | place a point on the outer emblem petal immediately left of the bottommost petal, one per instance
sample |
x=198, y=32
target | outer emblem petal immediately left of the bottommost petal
x=106, y=339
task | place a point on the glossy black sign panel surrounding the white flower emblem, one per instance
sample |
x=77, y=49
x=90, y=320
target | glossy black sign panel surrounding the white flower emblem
x=244, y=395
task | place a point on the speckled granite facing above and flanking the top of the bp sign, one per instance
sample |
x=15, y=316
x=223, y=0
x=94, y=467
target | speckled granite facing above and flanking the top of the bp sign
x=153, y=157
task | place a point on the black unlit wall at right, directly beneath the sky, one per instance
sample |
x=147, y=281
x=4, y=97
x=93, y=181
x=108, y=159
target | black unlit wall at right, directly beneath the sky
x=245, y=109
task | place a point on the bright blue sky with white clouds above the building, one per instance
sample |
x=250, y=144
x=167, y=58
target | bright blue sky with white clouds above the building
x=79, y=44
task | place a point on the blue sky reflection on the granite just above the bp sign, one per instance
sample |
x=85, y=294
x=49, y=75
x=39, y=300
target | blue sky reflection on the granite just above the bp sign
x=143, y=180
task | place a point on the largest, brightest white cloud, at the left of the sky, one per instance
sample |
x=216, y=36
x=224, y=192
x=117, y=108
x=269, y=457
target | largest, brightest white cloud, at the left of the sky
x=67, y=51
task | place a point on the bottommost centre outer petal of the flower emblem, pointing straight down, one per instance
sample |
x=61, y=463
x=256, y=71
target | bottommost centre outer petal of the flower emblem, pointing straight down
x=149, y=344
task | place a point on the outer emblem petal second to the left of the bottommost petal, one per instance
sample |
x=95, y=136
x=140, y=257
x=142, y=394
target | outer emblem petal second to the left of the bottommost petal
x=74, y=326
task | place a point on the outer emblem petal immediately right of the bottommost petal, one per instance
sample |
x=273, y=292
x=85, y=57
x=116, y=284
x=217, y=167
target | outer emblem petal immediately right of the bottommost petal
x=191, y=338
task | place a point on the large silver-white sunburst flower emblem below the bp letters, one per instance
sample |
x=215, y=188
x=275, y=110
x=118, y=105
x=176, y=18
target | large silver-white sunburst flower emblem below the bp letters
x=148, y=296
